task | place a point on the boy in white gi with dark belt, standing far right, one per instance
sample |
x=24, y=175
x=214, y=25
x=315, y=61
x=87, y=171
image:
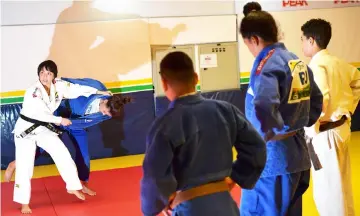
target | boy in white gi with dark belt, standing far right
x=339, y=83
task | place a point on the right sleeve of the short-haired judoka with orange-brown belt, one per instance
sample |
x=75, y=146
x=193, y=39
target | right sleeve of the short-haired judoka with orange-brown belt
x=251, y=153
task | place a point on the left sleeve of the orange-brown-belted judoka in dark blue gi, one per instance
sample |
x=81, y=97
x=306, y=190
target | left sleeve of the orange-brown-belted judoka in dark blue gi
x=158, y=181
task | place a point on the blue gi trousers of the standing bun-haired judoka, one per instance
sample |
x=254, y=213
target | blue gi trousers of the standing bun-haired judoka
x=276, y=195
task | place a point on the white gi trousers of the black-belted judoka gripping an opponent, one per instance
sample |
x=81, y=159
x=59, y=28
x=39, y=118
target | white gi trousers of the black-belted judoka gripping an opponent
x=25, y=155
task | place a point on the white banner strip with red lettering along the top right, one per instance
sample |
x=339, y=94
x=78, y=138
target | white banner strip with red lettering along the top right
x=289, y=5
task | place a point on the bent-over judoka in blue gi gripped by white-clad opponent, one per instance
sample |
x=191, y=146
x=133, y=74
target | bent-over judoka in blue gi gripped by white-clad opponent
x=83, y=112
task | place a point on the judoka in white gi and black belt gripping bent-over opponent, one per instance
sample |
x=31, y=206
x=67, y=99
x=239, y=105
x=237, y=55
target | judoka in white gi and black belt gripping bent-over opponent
x=40, y=101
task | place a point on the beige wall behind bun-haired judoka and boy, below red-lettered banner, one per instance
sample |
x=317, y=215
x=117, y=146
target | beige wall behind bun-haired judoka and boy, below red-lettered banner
x=344, y=43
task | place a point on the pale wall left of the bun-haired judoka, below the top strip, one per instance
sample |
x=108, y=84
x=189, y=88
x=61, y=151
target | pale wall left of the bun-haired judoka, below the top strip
x=109, y=51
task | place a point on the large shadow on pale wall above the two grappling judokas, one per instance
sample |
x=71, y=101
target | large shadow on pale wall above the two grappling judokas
x=103, y=49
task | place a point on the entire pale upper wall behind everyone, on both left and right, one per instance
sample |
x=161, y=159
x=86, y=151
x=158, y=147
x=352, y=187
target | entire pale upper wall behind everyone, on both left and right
x=84, y=45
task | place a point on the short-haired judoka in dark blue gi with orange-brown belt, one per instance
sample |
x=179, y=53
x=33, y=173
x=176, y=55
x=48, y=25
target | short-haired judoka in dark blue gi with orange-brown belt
x=189, y=149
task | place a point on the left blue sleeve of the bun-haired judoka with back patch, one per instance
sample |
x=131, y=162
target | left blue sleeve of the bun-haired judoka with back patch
x=267, y=101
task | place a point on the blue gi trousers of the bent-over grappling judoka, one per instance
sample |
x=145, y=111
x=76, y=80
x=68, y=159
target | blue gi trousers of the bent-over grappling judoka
x=82, y=158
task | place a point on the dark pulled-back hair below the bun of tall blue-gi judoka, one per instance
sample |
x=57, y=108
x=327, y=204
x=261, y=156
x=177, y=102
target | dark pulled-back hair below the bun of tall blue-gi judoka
x=261, y=24
